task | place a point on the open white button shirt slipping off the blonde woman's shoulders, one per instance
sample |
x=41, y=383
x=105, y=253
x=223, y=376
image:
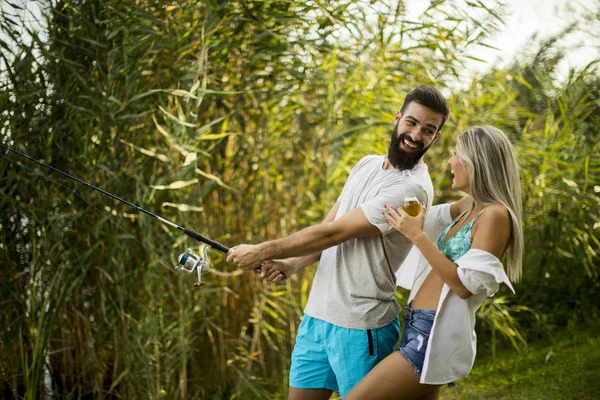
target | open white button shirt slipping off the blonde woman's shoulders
x=452, y=342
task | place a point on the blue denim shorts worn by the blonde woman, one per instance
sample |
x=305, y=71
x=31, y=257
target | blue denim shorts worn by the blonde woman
x=415, y=336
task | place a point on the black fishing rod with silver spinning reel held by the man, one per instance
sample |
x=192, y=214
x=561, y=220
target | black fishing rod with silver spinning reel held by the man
x=189, y=261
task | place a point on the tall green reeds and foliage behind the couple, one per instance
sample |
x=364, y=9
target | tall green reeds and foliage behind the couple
x=241, y=119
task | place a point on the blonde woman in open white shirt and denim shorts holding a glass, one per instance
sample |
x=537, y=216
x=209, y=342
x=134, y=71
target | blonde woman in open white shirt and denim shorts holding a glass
x=461, y=245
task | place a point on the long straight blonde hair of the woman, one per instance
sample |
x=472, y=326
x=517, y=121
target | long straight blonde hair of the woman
x=490, y=158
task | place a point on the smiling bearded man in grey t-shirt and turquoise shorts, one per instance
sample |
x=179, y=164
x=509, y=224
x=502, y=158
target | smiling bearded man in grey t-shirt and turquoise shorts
x=351, y=318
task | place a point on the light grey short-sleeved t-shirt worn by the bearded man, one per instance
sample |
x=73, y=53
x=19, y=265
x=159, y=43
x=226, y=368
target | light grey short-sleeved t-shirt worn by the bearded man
x=355, y=281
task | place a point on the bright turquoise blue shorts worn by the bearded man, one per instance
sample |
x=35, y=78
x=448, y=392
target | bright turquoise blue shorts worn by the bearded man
x=327, y=356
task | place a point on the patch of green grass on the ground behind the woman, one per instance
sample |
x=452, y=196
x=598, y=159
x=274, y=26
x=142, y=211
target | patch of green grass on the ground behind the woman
x=565, y=367
